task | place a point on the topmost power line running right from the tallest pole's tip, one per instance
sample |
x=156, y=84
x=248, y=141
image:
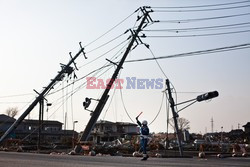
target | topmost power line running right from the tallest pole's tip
x=201, y=6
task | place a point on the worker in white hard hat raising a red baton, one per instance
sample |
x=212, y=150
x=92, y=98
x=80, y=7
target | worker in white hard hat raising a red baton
x=144, y=132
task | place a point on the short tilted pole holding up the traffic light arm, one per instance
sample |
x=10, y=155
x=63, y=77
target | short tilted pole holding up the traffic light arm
x=175, y=116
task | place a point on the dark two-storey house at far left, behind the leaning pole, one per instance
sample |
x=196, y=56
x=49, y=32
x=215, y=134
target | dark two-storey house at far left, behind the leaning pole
x=27, y=131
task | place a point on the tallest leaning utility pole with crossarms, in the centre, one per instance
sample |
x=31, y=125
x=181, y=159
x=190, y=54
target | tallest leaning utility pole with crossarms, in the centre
x=96, y=113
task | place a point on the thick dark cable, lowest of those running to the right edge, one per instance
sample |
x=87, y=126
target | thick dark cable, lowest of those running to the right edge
x=200, y=52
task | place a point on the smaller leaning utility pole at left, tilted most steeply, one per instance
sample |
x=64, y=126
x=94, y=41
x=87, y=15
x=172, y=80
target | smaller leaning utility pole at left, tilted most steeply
x=66, y=69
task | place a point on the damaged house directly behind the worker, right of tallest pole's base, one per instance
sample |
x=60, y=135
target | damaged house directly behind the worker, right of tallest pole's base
x=106, y=131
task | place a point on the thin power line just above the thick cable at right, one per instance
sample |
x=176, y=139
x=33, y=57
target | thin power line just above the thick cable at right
x=196, y=35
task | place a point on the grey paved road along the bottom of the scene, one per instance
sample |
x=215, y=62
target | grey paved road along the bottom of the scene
x=10, y=159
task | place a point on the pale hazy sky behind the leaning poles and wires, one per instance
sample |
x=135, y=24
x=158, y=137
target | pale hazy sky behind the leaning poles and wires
x=36, y=36
